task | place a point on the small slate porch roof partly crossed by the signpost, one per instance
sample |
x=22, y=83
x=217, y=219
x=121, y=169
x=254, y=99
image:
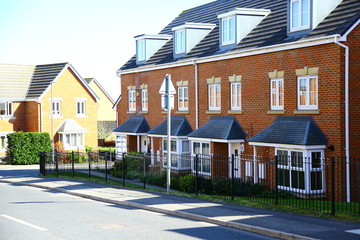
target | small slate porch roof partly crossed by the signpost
x=179, y=127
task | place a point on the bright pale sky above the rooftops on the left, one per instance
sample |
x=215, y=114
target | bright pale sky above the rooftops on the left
x=95, y=36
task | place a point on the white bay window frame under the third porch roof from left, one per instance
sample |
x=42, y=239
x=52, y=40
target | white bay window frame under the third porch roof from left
x=204, y=158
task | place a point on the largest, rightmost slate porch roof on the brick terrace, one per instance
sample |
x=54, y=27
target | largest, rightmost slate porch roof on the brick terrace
x=292, y=130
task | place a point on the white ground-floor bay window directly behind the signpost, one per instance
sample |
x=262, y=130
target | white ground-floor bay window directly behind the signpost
x=180, y=154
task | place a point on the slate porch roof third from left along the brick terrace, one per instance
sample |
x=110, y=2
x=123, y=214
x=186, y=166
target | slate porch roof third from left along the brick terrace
x=220, y=127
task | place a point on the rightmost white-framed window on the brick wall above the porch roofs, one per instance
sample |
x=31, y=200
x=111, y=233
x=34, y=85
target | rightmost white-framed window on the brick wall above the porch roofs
x=308, y=92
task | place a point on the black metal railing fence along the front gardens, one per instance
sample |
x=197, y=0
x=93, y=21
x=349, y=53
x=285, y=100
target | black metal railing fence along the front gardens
x=328, y=185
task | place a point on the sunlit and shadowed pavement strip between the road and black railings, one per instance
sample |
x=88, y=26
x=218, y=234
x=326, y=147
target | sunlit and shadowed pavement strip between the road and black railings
x=267, y=222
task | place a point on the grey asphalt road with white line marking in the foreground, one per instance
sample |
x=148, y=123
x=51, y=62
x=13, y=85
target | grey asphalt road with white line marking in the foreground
x=31, y=213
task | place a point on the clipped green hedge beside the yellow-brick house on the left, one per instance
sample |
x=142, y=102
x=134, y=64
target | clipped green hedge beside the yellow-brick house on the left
x=24, y=147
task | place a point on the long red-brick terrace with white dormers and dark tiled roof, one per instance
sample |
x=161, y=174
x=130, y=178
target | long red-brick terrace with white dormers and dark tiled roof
x=261, y=77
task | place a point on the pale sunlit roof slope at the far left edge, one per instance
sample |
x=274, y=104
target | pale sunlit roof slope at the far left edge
x=15, y=81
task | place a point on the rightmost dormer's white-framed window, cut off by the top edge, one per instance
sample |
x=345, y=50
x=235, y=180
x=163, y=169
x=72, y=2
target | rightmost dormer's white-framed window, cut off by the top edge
x=299, y=15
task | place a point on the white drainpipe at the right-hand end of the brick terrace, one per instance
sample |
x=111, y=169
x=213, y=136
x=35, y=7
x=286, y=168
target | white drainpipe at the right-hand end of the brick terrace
x=347, y=142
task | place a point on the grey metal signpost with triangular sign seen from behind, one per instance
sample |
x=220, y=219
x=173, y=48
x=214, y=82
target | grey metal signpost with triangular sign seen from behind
x=167, y=91
